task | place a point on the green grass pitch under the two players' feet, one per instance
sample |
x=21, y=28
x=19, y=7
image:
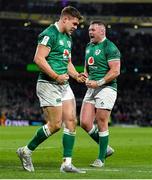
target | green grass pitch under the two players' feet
x=132, y=158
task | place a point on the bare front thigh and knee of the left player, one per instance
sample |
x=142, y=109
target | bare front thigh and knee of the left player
x=69, y=114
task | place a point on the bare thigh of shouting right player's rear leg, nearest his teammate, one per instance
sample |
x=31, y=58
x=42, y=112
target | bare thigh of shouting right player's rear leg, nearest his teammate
x=87, y=115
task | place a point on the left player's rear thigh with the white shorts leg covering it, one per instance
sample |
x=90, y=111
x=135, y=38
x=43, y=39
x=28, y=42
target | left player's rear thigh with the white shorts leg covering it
x=50, y=100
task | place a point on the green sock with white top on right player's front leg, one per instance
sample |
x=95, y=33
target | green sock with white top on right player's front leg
x=103, y=143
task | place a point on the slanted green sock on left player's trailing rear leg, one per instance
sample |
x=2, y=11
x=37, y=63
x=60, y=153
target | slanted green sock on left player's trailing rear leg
x=42, y=134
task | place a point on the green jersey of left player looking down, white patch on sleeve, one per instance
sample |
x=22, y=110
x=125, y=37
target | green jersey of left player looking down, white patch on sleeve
x=60, y=54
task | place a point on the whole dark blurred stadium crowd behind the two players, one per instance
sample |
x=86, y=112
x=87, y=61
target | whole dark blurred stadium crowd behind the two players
x=18, y=99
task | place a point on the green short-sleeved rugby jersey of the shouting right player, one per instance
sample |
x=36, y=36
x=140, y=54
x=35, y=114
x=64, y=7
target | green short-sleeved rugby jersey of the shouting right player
x=97, y=57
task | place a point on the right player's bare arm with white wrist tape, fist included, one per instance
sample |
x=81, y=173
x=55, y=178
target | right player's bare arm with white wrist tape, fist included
x=111, y=75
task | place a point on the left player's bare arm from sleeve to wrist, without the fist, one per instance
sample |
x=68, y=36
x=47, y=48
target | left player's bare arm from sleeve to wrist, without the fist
x=40, y=59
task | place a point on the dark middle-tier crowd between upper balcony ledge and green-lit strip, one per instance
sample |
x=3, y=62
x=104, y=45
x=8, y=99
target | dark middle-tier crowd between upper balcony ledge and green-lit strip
x=15, y=49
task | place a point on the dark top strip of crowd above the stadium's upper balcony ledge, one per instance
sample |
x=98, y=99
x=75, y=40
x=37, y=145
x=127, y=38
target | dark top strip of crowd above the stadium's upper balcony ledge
x=93, y=8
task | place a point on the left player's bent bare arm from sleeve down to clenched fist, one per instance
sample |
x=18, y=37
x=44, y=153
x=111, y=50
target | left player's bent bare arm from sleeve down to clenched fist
x=40, y=59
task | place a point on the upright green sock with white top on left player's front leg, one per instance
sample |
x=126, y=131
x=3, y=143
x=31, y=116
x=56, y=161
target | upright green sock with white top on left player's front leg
x=68, y=142
